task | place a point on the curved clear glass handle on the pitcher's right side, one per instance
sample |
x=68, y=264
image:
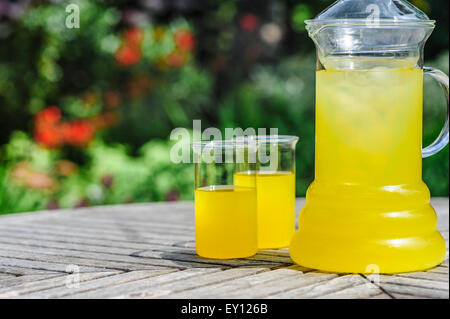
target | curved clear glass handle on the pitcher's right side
x=442, y=140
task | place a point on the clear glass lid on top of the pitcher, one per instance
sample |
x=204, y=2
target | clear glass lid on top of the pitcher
x=370, y=12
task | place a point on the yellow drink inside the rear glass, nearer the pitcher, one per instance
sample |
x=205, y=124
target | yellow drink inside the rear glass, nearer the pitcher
x=276, y=206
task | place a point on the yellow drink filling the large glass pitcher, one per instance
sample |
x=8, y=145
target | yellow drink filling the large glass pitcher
x=368, y=205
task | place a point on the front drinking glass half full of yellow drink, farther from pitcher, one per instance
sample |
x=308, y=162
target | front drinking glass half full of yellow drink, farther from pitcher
x=225, y=213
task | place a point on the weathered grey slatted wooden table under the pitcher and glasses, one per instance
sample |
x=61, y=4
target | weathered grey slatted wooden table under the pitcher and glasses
x=147, y=251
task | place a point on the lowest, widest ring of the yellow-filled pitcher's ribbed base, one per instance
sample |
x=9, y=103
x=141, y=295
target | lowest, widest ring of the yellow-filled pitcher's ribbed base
x=349, y=254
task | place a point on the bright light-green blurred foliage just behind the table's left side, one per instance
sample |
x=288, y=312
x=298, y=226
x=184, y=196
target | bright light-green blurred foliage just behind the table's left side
x=151, y=176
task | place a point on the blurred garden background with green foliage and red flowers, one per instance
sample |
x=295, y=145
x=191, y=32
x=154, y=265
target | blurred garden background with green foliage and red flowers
x=86, y=114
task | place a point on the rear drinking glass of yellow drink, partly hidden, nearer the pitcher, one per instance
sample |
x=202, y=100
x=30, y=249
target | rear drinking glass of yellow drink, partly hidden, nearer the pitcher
x=275, y=184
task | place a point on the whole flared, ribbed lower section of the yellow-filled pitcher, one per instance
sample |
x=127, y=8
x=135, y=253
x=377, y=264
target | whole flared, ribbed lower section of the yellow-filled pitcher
x=365, y=229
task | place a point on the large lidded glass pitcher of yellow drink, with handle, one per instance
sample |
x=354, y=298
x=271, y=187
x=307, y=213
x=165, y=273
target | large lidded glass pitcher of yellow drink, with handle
x=368, y=207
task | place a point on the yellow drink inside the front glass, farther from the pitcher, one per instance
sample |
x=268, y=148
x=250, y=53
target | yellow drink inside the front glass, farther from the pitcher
x=225, y=222
